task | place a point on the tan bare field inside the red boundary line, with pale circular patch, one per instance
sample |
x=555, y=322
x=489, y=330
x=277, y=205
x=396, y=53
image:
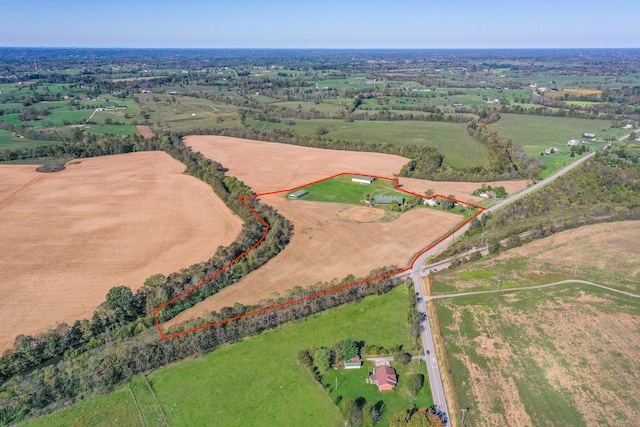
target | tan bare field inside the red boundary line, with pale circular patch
x=325, y=247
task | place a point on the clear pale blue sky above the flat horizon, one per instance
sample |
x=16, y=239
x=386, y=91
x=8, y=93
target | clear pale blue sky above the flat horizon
x=396, y=24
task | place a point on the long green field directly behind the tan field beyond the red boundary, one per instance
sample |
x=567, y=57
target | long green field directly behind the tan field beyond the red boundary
x=451, y=139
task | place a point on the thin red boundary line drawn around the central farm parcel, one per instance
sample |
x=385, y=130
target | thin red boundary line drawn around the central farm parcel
x=273, y=307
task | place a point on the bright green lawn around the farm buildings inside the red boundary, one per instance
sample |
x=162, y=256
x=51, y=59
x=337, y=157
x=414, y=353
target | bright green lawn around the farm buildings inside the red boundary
x=343, y=190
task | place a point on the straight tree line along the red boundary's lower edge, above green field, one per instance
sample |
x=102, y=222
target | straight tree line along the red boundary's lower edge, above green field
x=102, y=369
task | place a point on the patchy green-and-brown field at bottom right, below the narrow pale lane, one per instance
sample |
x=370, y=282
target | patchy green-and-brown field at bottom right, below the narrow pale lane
x=559, y=356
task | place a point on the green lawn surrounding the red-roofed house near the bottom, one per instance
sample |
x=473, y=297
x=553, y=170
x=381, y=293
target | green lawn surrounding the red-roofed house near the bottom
x=353, y=384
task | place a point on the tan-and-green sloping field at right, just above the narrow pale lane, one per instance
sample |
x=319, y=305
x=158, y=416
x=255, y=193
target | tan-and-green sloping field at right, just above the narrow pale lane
x=604, y=253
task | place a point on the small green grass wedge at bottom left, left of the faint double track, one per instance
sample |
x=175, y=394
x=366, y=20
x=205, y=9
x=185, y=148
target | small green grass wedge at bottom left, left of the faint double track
x=112, y=410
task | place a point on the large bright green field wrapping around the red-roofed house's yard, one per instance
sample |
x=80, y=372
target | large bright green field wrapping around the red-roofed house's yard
x=258, y=381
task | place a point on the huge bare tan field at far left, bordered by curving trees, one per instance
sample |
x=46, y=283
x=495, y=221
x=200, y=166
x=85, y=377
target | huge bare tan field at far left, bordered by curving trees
x=66, y=238
